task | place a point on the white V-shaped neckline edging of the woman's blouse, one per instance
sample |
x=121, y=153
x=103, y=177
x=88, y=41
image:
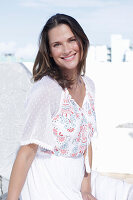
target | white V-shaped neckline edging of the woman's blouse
x=86, y=89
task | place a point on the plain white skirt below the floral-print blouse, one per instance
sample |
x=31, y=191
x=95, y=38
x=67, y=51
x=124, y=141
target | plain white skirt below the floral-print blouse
x=51, y=177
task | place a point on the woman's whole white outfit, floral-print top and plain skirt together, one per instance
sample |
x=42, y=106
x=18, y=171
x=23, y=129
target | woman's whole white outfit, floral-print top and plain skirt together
x=62, y=130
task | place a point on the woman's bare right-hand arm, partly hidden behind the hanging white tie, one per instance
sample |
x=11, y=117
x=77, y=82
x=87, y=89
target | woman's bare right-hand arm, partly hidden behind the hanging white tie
x=86, y=183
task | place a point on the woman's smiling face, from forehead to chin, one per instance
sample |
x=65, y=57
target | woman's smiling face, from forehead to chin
x=64, y=48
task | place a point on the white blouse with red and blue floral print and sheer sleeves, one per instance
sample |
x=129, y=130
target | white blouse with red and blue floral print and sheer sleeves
x=55, y=122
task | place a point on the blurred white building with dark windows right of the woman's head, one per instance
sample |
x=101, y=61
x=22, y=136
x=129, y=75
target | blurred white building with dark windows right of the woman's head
x=119, y=51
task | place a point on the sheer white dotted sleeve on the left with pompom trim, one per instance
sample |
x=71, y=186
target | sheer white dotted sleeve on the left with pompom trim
x=38, y=112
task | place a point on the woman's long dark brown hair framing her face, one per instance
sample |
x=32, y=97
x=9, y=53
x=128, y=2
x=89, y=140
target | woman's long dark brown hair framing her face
x=45, y=65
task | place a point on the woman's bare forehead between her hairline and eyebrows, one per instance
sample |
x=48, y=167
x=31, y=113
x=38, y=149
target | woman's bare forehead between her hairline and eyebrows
x=60, y=33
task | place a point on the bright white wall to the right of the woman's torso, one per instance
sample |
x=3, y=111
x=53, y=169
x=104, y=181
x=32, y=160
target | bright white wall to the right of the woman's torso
x=114, y=106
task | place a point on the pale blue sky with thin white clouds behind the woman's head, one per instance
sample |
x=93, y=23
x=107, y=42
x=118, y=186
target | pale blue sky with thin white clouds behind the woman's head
x=22, y=20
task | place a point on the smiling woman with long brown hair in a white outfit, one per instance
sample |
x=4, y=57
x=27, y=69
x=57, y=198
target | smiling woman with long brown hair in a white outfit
x=60, y=119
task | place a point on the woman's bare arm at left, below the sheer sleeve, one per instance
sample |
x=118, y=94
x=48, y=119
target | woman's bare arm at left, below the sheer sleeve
x=20, y=169
